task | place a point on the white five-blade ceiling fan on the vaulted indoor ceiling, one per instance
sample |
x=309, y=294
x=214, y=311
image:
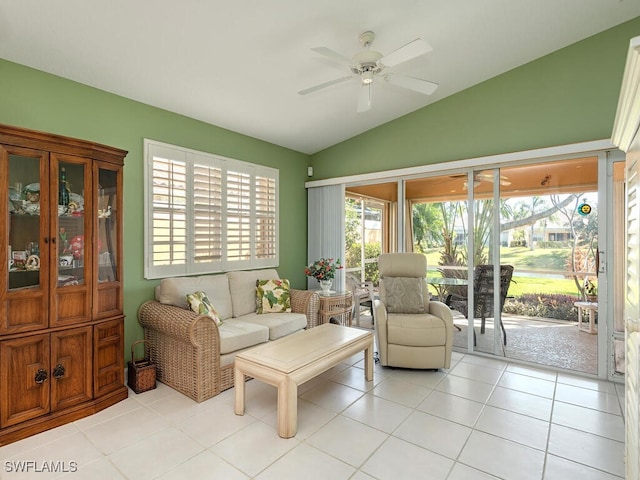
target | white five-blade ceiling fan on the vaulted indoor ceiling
x=368, y=64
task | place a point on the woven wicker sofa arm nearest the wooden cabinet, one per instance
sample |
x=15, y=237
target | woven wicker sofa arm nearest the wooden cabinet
x=185, y=347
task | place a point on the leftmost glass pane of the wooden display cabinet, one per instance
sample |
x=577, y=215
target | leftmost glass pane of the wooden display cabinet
x=24, y=222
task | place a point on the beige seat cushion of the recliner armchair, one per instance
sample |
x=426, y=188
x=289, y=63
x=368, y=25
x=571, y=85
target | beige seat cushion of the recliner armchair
x=424, y=330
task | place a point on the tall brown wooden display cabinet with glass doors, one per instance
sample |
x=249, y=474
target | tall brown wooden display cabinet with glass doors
x=61, y=315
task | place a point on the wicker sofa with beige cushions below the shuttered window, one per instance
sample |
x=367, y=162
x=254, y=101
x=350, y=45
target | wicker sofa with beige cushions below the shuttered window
x=194, y=355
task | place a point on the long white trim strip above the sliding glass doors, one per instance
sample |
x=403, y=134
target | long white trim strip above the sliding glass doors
x=487, y=161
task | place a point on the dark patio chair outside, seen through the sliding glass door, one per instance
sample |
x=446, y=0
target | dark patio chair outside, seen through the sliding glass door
x=483, y=295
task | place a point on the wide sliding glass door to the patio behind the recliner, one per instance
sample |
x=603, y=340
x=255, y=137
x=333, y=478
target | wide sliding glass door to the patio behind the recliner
x=528, y=256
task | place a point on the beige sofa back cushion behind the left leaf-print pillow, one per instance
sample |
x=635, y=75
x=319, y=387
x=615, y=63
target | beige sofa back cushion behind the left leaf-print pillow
x=173, y=291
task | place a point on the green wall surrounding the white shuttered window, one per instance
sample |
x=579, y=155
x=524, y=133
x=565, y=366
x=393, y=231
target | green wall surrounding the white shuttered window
x=33, y=99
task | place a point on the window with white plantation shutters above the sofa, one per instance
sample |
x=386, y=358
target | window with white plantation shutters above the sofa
x=205, y=213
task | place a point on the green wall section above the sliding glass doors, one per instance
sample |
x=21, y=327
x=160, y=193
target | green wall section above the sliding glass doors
x=566, y=97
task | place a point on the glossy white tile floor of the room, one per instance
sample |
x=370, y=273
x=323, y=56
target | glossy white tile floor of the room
x=482, y=419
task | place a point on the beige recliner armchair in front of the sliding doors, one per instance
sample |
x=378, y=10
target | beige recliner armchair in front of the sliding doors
x=411, y=330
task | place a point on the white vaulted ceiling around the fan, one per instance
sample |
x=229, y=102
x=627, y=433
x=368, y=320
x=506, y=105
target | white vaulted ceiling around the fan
x=239, y=65
